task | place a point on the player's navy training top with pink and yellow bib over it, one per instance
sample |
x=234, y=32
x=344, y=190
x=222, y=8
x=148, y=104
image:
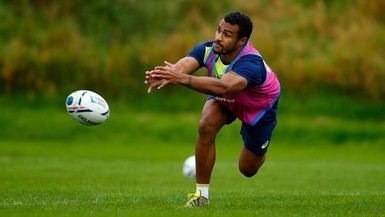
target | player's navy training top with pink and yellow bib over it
x=263, y=88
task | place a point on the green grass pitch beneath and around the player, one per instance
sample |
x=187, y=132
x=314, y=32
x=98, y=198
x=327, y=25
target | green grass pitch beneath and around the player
x=326, y=159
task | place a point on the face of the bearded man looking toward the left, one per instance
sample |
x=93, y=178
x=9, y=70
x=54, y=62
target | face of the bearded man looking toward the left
x=226, y=38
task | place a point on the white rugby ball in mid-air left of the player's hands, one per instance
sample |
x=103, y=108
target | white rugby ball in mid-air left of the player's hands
x=87, y=107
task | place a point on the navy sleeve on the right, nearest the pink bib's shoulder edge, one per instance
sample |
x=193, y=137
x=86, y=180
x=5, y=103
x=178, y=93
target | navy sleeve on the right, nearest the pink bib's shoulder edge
x=252, y=68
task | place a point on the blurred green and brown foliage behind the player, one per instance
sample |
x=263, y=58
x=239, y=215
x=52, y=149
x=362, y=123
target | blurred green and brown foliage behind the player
x=54, y=46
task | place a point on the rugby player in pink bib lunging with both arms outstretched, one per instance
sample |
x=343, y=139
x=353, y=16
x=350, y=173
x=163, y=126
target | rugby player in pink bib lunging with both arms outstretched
x=239, y=85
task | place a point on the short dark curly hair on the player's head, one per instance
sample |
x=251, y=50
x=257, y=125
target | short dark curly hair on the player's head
x=243, y=21
